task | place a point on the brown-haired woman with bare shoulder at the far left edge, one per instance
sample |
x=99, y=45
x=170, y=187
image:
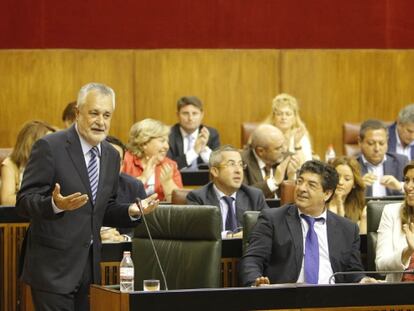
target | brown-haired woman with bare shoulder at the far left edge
x=13, y=166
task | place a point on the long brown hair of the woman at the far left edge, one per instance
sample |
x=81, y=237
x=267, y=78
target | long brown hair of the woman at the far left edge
x=29, y=133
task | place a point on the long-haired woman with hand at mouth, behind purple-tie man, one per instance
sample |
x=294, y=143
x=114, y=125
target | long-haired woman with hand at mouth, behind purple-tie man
x=349, y=196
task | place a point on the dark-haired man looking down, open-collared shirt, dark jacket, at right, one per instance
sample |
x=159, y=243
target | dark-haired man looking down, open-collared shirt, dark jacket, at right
x=382, y=171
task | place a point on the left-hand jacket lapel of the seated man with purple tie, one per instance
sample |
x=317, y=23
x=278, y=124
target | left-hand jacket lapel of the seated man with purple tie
x=295, y=230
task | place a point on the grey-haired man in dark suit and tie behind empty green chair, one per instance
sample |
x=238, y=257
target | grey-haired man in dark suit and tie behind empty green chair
x=226, y=189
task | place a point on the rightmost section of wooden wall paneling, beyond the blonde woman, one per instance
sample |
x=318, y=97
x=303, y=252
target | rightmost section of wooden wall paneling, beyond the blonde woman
x=334, y=86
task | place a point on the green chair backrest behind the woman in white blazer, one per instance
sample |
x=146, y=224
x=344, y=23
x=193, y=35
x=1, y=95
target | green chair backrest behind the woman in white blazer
x=374, y=212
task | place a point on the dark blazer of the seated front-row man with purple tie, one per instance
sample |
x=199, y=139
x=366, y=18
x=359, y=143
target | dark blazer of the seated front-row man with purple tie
x=276, y=247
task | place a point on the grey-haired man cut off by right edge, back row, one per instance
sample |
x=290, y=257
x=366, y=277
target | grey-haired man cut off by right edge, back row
x=401, y=133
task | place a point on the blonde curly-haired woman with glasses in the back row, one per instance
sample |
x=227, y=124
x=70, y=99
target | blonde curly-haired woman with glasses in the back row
x=285, y=116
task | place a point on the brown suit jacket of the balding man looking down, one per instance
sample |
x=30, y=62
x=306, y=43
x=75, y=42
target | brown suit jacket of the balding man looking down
x=252, y=173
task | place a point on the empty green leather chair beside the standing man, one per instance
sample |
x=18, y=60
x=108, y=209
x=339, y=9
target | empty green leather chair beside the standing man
x=188, y=241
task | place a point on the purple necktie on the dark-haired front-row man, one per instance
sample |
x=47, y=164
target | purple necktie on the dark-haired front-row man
x=311, y=252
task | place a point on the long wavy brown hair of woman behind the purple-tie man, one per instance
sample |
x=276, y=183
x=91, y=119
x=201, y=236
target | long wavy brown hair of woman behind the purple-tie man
x=355, y=200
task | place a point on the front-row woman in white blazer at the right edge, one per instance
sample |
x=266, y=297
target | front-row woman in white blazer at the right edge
x=395, y=243
